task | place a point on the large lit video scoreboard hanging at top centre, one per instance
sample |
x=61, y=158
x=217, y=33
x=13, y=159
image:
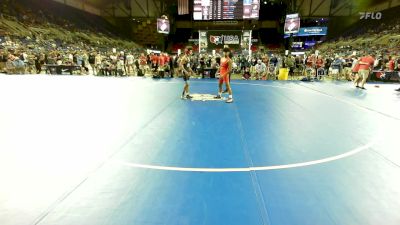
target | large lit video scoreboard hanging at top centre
x=226, y=9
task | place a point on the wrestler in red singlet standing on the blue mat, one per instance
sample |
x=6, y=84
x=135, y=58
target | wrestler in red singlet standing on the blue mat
x=224, y=70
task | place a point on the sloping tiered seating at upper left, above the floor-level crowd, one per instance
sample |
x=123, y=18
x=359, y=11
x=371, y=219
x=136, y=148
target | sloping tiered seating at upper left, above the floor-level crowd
x=57, y=22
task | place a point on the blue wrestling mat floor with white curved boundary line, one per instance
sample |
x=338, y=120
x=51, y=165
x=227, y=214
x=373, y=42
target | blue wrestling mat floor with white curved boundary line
x=99, y=150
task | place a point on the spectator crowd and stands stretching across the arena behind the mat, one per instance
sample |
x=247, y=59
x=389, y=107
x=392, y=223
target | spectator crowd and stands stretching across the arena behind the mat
x=68, y=47
